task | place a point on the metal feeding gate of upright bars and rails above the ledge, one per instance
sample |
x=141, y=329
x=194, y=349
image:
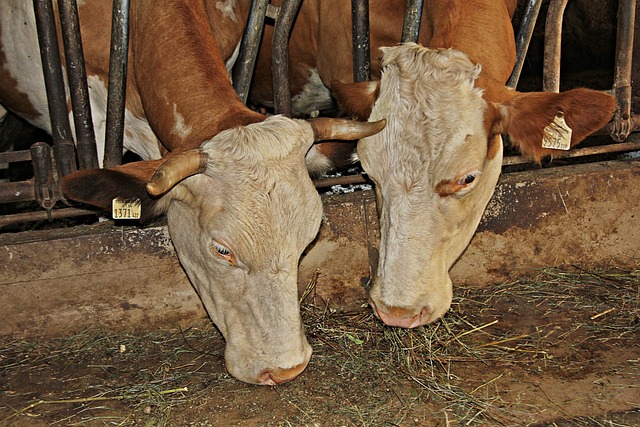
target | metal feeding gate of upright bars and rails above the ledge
x=51, y=162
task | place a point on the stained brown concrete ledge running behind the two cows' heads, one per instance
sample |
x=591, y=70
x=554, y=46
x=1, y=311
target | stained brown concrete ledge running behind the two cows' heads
x=61, y=281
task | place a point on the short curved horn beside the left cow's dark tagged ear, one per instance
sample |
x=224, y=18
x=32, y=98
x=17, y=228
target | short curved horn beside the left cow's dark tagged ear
x=175, y=169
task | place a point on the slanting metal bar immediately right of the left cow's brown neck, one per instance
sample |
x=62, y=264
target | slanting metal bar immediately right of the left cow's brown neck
x=245, y=65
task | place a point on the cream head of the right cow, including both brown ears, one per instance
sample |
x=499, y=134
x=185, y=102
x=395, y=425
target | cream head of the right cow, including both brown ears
x=437, y=162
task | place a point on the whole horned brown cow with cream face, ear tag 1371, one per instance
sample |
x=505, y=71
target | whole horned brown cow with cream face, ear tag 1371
x=240, y=204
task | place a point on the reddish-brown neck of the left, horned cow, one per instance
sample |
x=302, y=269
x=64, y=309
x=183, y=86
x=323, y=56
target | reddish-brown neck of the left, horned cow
x=183, y=83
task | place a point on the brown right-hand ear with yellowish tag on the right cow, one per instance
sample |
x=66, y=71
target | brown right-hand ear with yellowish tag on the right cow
x=525, y=117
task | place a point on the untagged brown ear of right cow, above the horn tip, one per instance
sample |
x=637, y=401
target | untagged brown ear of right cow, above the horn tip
x=356, y=99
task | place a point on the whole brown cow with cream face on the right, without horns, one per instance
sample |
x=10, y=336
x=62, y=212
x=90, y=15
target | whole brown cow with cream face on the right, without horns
x=437, y=162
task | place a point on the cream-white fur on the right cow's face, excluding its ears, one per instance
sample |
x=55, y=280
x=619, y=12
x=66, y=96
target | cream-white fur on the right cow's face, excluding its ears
x=435, y=133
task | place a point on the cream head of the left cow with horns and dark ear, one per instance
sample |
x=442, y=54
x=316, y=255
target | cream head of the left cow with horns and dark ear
x=241, y=209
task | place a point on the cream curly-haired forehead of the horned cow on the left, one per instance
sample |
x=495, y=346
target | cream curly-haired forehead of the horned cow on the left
x=255, y=193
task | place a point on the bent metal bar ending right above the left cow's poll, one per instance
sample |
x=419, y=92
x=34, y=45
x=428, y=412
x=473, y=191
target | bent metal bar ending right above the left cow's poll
x=280, y=58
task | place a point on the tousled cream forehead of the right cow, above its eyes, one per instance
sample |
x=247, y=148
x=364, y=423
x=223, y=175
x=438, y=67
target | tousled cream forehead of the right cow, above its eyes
x=435, y=115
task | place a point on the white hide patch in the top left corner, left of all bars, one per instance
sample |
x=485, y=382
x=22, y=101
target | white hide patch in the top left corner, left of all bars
x=20, y=42
